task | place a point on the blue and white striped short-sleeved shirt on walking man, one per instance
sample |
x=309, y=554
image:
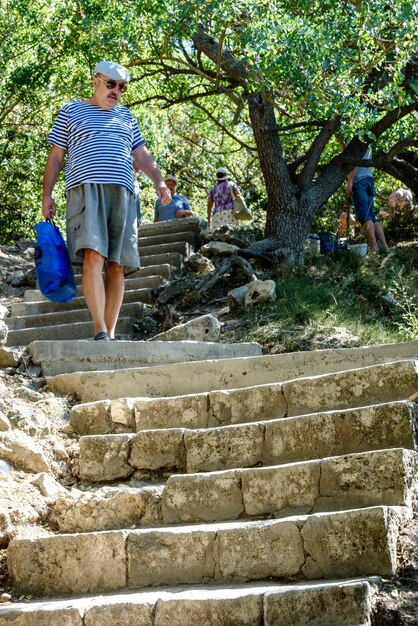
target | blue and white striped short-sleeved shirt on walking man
x=99, y=144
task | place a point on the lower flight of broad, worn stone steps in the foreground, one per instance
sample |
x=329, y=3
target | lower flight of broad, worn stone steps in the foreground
x=262, y=490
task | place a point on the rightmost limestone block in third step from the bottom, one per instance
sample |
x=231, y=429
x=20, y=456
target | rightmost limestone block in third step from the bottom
x=367, y=479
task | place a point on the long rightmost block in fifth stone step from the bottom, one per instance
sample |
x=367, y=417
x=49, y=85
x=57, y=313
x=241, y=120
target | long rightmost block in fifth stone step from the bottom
x=368, y=385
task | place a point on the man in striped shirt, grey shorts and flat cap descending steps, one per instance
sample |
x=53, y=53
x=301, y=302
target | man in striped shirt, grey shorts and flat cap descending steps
x=101, y=144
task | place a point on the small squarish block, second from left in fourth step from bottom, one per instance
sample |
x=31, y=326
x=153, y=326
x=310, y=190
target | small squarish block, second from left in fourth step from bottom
x=155, y=449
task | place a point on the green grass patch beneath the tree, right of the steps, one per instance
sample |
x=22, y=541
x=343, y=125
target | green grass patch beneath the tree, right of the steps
x=340, y=300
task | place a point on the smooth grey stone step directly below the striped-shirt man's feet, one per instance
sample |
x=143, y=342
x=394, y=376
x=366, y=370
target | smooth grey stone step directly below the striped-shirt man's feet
x=76, y=356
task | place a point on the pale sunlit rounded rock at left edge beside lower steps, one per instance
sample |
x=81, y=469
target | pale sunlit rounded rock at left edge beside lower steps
x=22, y=451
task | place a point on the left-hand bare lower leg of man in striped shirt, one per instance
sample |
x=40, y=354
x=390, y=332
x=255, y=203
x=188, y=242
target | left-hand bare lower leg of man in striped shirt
x=94, y=289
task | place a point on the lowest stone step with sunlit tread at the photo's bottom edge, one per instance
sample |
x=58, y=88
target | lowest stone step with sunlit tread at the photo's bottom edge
x=336, y=603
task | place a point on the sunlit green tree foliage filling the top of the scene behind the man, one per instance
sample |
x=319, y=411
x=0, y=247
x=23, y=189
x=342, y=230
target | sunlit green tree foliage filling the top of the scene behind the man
x=315, y=59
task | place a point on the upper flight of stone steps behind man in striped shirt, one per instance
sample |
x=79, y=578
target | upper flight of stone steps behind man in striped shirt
x=163, y=250
